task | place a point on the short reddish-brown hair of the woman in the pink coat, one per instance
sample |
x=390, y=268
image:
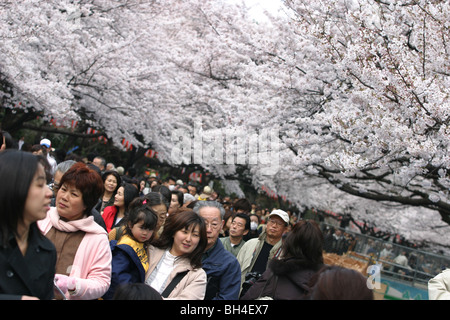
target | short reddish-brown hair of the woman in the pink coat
x=88, y=181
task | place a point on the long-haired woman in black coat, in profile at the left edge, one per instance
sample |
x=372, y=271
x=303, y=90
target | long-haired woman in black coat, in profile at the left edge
x=27, y=258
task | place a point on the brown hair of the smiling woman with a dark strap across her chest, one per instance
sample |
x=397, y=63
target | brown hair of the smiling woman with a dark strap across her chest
x=180, y=221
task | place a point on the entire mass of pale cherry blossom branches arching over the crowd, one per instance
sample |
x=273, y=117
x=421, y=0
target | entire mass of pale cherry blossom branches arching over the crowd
x=357, y=90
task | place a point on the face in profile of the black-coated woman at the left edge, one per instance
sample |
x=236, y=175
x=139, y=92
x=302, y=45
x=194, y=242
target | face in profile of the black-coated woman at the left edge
x=38, y=198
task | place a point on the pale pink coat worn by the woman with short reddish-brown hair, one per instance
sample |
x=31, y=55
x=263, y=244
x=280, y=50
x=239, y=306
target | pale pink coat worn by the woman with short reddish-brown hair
x=92, y=262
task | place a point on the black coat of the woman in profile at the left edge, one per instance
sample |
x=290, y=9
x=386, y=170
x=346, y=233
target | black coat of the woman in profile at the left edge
x=30, y=275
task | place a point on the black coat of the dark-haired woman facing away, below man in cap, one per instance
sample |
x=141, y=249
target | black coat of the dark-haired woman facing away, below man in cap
x=285, y=279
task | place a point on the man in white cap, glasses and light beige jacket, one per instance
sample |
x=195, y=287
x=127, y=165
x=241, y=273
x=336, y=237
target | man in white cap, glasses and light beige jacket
x=256, y=253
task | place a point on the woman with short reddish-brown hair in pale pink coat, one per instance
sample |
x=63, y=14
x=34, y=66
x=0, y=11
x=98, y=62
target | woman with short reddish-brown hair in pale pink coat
x=83, y=268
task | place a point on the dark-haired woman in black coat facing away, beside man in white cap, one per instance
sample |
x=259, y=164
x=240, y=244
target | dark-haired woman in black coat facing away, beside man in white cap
x=287, y=278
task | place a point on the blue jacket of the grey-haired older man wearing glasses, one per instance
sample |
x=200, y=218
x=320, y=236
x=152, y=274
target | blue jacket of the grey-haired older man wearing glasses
x=223, y=272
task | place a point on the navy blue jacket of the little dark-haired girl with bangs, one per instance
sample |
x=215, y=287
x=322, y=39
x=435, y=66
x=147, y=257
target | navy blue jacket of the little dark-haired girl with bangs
x=126, y=267
